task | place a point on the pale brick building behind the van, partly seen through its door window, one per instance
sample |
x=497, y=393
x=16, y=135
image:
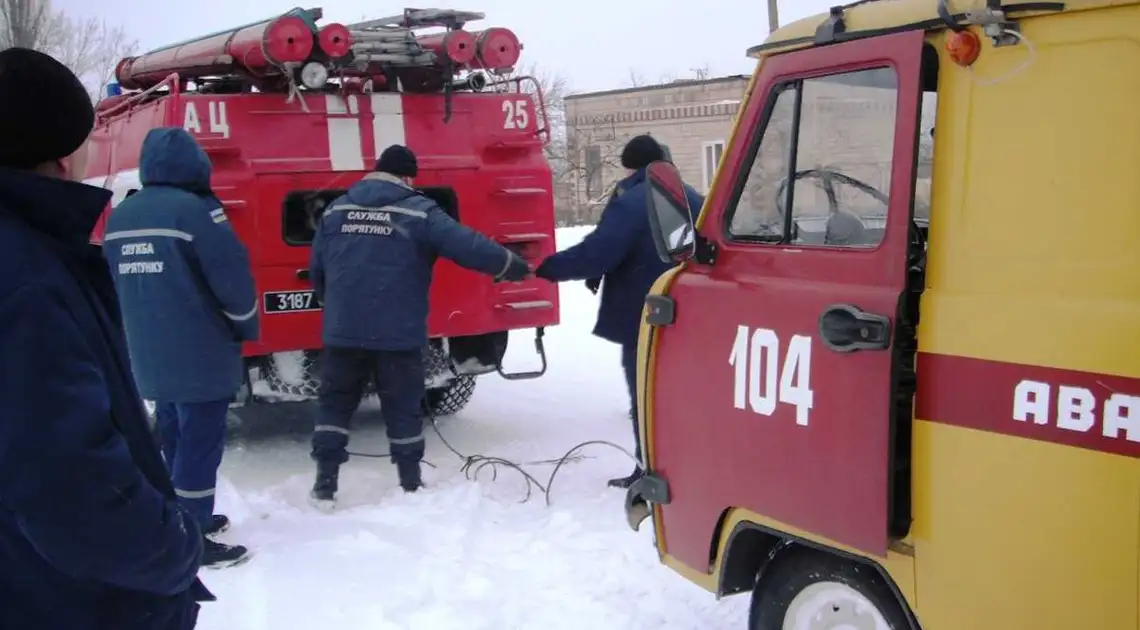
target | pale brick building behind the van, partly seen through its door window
x=848, y=127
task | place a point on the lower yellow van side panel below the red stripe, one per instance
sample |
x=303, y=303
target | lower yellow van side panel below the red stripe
x=1015, y=535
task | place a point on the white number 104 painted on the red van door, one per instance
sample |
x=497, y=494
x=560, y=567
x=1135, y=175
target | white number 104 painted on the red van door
x=756, y=359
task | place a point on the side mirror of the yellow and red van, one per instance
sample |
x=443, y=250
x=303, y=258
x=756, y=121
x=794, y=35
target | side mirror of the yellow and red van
x=670, y=214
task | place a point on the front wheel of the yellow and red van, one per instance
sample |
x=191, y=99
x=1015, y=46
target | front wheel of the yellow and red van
x=811, y=591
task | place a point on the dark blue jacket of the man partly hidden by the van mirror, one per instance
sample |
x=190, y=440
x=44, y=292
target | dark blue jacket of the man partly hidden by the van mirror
x=621, y=249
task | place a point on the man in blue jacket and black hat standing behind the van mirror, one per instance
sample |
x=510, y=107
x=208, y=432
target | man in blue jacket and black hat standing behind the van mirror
x=622, y=252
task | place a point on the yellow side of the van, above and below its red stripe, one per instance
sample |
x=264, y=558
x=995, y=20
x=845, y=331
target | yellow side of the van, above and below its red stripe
x=1033, y=260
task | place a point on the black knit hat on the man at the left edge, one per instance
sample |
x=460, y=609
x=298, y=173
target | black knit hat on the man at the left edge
x=46, y=113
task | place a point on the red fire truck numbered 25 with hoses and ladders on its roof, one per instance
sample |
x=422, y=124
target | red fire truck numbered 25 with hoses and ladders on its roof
x=292, y=113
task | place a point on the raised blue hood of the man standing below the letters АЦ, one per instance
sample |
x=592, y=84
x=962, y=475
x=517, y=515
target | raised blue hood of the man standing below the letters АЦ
x=173, y=158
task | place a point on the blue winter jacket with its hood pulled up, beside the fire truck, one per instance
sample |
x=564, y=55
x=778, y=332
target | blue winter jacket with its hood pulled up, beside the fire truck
x=183, y=276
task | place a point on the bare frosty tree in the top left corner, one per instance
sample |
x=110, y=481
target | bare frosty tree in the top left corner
x=91, y=47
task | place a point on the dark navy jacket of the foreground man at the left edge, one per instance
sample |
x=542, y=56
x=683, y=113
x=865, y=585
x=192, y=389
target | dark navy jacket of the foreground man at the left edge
x=92, y=537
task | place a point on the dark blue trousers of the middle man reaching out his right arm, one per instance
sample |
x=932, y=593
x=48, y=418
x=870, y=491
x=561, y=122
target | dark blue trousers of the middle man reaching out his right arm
x=400, y=381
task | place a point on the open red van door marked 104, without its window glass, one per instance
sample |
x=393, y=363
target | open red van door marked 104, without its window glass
x=829, y=477
